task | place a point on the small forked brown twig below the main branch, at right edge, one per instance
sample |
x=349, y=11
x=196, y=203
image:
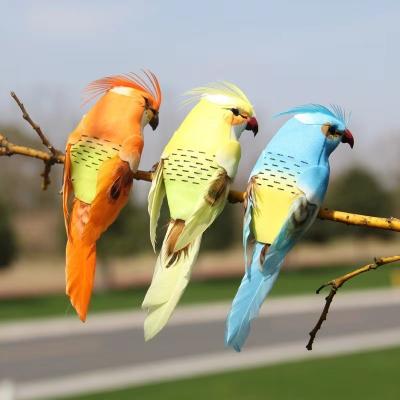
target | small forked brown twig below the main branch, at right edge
x=337, y=283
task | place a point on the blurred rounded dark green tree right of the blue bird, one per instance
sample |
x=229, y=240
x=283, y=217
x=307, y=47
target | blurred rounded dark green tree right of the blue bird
x=357, y=191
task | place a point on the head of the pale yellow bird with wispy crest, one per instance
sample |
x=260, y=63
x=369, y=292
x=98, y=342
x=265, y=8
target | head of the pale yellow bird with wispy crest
x=229, y=103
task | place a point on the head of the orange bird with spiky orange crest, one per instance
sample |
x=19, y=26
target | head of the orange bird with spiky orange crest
x=145, y=89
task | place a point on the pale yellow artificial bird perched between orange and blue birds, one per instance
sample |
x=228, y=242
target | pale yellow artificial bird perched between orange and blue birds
x=195, y=173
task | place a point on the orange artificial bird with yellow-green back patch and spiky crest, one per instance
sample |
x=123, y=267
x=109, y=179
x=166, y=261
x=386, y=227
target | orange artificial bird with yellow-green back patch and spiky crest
x=102, y=154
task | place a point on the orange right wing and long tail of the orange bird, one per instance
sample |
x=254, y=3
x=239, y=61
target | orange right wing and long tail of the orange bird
x=85, y=225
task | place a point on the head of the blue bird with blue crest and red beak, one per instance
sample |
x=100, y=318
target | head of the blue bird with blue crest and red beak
x=327, y=126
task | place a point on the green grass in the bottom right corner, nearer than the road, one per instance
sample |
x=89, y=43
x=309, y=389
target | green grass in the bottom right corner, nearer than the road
x=367, y=376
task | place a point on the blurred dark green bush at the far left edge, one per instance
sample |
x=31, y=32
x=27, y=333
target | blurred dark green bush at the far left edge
x=8, y=242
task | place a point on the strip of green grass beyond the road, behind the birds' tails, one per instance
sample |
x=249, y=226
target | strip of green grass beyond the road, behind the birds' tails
x=289, y=283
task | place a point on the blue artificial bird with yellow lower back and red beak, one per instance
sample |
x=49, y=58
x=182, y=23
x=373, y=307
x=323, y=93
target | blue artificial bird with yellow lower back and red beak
x=284, y=194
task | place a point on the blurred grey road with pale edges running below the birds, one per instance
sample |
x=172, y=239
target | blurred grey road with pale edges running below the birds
x=61, y=356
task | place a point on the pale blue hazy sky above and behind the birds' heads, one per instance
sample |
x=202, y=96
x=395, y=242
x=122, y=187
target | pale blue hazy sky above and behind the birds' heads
x=281, y=53
